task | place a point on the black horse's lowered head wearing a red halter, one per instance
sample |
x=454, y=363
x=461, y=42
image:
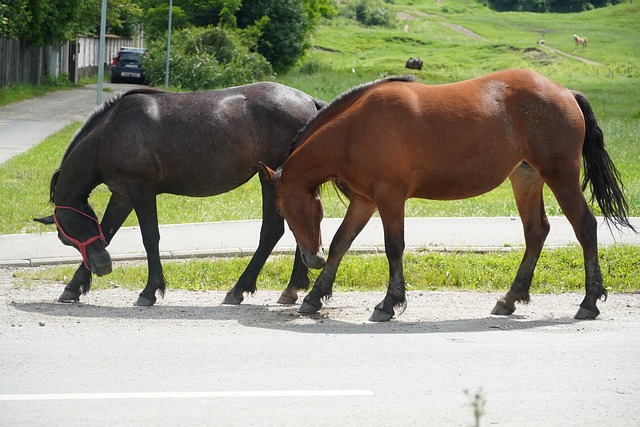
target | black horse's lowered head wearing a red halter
x=81, y=229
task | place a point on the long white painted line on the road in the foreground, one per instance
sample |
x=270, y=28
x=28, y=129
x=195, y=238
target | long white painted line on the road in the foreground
x=187, y=395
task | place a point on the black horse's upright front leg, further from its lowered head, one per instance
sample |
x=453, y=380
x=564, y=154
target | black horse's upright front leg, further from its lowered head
x=146, y=210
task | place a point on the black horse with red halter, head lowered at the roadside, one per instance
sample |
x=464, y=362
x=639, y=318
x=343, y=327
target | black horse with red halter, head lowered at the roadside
x=147, y=142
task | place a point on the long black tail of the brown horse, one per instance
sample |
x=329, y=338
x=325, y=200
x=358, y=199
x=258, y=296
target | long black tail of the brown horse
x=600, y=174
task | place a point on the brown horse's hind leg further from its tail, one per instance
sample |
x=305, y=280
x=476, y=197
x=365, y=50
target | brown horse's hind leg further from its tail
x=527, y=188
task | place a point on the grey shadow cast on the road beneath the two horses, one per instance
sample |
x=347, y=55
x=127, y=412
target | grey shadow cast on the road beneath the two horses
x=333, y=320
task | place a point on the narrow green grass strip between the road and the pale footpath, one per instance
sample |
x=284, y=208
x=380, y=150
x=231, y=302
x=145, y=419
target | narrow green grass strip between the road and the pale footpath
x=559, y=270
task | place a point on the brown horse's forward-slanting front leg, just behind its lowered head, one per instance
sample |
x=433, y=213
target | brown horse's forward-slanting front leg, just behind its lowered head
x=358, y=214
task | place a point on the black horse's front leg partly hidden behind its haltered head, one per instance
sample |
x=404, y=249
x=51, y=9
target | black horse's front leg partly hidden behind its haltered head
x=117, y=211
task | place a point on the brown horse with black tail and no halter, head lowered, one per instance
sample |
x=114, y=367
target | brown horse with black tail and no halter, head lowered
x=394, y=139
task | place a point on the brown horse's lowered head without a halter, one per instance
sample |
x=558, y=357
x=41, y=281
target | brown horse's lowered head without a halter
x=302, y=209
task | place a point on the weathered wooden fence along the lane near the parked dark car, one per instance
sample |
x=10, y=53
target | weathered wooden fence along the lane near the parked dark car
x=20, y=63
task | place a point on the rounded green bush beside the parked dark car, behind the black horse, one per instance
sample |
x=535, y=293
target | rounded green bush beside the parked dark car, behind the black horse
x=207, y=58
